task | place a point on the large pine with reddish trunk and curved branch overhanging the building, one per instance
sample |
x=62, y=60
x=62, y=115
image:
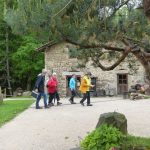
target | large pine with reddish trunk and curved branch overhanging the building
x=120, y=26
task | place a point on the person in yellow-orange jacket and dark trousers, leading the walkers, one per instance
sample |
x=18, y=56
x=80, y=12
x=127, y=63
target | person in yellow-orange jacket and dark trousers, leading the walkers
x=85, y=88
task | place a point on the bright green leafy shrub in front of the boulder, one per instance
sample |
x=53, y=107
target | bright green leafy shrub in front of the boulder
x=103, y=138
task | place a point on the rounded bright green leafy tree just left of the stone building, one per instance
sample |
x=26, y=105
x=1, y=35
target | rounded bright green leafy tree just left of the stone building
x=30, y=61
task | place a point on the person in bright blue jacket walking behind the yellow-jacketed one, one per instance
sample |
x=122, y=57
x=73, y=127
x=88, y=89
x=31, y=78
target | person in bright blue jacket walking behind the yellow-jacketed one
x=72, y=86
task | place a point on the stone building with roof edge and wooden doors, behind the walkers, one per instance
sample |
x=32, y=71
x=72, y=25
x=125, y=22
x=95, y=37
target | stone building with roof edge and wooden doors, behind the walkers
x=117, y=81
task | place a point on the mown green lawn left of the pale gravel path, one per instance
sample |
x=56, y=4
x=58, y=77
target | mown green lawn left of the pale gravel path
x=10, y=109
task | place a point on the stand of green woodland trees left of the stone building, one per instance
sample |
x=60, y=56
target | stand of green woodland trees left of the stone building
x=14, y=49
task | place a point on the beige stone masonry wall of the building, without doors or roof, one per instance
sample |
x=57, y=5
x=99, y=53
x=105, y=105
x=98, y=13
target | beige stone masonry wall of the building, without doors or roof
x=57, y=60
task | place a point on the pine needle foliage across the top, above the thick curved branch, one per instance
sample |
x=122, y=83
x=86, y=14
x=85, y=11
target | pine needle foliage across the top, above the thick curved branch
x=87, y=22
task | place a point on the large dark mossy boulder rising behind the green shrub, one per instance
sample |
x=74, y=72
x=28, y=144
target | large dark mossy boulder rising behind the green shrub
x=115, y=119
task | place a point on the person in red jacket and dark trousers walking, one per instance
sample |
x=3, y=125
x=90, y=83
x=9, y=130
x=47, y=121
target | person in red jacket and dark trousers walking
x=52, y=90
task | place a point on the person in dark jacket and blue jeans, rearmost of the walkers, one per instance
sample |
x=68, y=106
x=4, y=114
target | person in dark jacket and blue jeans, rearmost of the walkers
x=40, y=88
